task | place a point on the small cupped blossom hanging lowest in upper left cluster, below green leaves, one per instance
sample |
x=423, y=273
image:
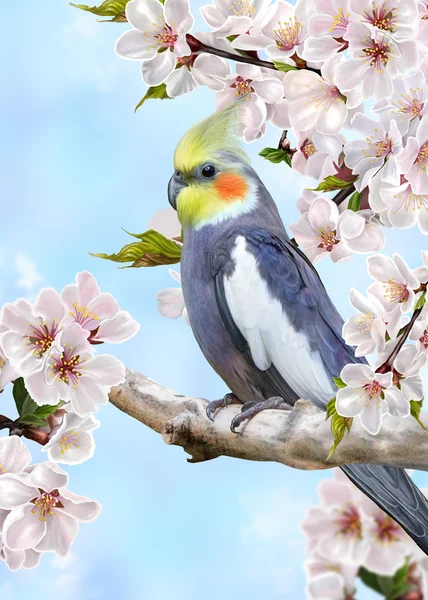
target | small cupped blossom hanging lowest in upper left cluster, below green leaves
x=72, y=442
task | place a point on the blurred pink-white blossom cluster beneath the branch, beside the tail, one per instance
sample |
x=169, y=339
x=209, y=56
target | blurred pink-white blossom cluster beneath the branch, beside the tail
x=348, y=533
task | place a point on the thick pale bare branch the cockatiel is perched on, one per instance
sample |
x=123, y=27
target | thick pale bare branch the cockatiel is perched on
x=300, y=438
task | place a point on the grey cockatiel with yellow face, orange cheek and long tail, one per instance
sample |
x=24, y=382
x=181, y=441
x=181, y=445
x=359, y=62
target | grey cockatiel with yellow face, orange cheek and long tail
x=257, y=306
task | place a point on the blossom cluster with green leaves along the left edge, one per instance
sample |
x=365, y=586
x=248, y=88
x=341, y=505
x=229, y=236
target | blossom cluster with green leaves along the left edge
x=47, y=350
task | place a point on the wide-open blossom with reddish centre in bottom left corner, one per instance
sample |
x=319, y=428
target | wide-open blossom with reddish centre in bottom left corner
x=44, y=515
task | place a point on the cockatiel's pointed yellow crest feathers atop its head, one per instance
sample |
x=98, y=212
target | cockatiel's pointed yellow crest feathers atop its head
x=212, y=135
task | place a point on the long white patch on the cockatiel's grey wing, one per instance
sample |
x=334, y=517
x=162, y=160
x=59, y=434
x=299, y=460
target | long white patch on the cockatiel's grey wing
x=272, y=339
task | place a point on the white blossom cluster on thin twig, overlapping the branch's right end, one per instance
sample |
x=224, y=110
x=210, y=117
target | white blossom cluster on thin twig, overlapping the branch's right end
x=381, y=325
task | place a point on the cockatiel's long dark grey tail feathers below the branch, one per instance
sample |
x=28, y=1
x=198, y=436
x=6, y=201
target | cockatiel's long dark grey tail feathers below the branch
x=393, y=491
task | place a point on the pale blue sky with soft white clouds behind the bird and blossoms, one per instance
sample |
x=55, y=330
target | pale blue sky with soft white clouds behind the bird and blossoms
x=75, y=165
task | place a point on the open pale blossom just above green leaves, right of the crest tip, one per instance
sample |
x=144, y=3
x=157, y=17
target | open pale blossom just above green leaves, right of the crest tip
x=377, y=151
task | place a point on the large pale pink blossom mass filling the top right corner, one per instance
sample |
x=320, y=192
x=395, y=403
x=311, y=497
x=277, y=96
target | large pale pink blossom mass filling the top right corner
x=310, y=69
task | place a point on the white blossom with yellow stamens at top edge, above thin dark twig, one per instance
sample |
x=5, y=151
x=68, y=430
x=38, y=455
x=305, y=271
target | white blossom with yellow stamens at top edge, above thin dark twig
x=282, y=35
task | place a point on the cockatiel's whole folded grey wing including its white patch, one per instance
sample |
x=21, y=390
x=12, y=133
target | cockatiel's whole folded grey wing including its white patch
x=275, y=307
